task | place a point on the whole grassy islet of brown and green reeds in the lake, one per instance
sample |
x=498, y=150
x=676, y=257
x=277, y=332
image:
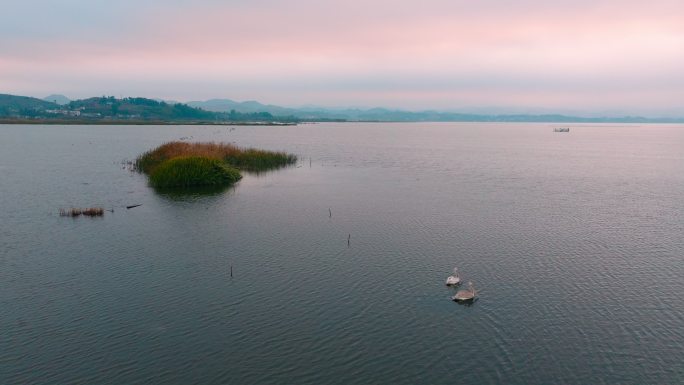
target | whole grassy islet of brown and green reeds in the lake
x=182, y=164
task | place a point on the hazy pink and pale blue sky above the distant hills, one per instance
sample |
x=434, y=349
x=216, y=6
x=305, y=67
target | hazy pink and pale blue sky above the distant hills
x=584, y=56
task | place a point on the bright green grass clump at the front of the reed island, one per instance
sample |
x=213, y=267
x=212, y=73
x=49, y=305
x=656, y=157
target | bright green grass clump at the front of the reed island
x=193, y=171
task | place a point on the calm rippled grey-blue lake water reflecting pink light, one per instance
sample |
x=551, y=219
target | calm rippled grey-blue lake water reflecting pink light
x=574, y=240
